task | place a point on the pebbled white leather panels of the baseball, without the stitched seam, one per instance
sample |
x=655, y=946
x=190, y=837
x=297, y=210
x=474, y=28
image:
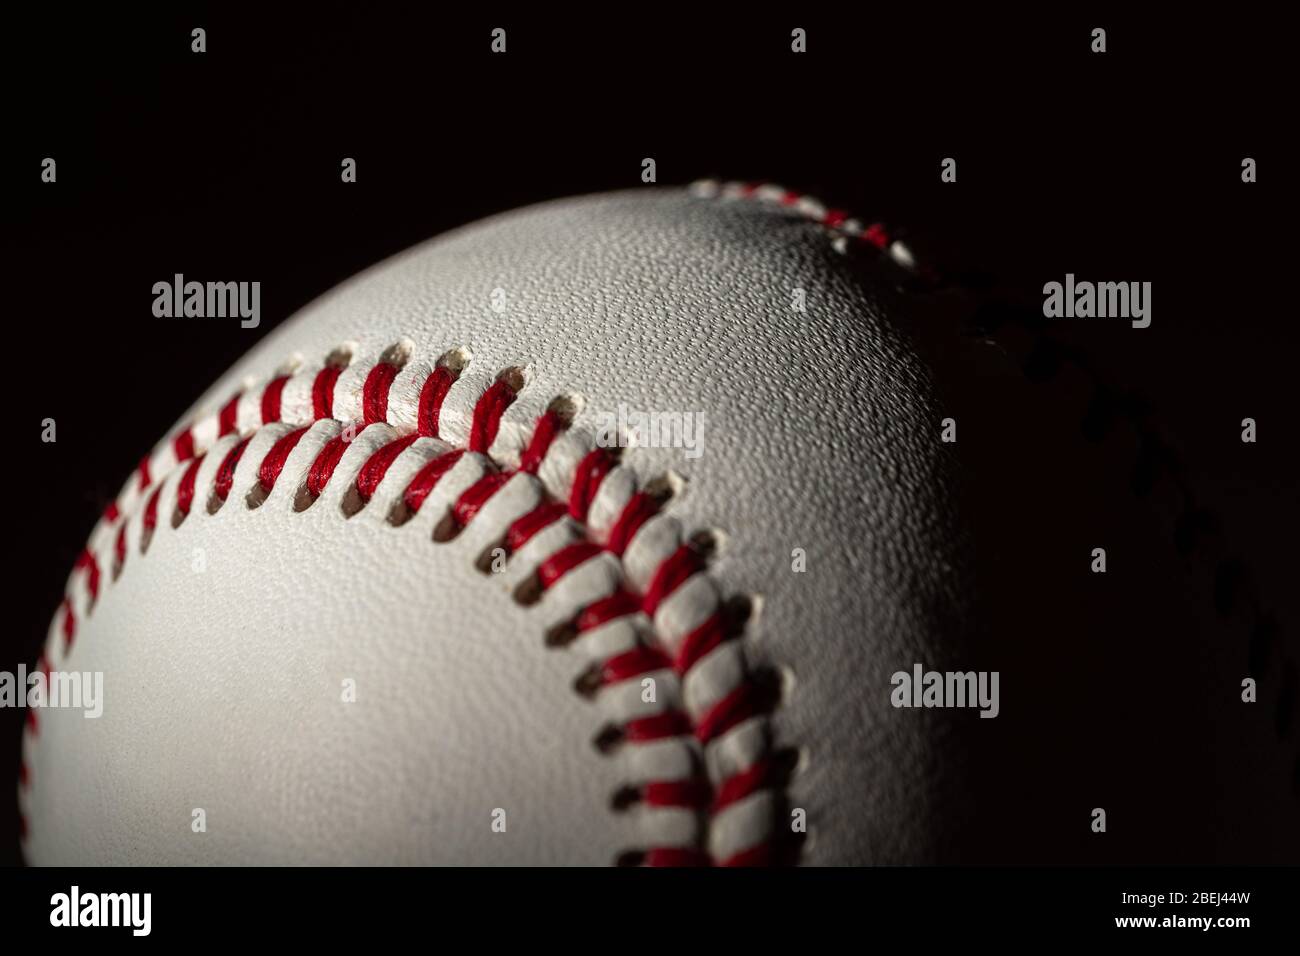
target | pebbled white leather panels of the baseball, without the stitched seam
x=223, y=686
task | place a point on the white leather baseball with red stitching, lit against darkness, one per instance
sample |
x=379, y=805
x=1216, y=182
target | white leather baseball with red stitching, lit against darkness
x=228, y=635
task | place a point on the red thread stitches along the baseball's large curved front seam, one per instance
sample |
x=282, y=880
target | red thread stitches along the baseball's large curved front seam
x=692, y=793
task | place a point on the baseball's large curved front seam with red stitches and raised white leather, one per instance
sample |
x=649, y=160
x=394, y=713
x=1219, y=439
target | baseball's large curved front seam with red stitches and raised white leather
x=612, y=573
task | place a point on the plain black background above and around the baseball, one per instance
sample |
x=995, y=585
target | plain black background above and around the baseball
x=1124, y=166
